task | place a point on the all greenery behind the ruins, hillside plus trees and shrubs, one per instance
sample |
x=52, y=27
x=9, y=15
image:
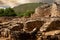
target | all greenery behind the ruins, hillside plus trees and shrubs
x=24, y=10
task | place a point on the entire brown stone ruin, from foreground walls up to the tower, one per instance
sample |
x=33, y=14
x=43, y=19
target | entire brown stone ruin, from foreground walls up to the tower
x=43, y=25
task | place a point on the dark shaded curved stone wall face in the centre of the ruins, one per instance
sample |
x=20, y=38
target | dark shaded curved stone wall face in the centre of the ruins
x=33, y=24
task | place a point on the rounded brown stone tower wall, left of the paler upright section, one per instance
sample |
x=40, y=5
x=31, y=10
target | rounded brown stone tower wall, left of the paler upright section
x=43, y=11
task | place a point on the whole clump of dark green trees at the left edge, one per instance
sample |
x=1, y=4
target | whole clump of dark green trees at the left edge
x=7, y=12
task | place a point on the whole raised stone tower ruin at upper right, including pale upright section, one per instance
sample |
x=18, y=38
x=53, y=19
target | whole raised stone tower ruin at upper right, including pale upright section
x=47, y=11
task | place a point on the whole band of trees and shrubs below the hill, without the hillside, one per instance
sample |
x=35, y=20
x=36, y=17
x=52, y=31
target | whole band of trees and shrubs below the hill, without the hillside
x=11, y=12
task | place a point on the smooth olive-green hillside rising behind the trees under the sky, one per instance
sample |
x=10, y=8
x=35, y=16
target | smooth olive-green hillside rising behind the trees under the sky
x=25, y=7
